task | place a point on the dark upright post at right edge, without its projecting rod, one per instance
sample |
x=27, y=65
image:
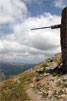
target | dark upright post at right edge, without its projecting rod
x=64, y=39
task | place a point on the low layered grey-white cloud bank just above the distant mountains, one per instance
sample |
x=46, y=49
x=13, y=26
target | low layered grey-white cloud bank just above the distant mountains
x=11, y=50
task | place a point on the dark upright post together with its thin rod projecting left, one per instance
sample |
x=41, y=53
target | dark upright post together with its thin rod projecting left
x=63, y=35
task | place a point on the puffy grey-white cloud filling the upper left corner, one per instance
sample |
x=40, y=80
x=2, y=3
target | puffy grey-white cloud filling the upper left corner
x=12, y=10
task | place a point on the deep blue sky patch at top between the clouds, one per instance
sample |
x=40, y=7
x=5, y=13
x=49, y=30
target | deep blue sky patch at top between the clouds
x=44, y=6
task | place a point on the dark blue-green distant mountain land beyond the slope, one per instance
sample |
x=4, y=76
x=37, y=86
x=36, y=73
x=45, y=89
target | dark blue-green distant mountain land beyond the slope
x=11, y=69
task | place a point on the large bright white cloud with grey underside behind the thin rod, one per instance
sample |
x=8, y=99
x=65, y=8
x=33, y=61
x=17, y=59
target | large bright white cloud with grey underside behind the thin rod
x=45, y=39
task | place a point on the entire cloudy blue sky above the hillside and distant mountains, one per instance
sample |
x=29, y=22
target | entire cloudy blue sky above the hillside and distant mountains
x=20, y=44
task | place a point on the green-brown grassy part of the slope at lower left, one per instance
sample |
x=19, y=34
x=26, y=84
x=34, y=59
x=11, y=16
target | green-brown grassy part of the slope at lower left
x=12, y=90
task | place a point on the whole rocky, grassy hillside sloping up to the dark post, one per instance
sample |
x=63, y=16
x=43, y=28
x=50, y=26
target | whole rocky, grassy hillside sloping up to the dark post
x=36, y=84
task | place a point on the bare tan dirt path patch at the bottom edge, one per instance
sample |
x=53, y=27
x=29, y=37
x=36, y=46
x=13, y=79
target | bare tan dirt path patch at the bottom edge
x=34, y=96
